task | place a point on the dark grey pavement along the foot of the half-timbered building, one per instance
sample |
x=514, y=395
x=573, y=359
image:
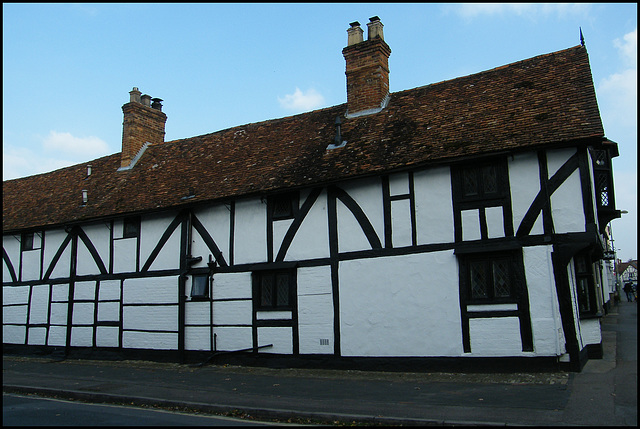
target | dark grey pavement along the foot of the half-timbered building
x=603, y=393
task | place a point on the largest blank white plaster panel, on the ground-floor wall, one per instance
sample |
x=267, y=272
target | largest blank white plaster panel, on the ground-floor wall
x=420, y=291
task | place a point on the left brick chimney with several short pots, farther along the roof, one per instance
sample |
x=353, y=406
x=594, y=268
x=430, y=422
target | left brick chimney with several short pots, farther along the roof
x=143, y=123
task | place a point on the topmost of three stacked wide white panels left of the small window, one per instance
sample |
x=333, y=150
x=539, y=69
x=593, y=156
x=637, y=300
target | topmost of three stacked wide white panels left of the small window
x=150, y=290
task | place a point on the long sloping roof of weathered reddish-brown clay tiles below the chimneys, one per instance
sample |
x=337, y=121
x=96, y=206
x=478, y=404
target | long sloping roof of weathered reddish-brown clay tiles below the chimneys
x=545, y=100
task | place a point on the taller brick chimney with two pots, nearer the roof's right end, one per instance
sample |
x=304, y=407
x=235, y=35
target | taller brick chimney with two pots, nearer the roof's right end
x=367, y=69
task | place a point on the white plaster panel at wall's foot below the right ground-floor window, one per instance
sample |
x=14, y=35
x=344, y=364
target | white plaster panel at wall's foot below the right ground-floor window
x=496, y=336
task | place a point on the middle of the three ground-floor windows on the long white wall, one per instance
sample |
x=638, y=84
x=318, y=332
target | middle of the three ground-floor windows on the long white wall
x=268, y=293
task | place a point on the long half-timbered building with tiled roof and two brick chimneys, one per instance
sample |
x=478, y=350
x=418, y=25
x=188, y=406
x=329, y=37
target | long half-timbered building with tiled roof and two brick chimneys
x=461, y=221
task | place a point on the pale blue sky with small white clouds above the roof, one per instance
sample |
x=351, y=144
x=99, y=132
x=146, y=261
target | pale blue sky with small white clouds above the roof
x=68, y=68
